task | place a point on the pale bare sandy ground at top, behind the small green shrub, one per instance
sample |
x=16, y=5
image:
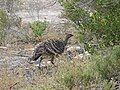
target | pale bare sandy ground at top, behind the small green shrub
x=49, y=10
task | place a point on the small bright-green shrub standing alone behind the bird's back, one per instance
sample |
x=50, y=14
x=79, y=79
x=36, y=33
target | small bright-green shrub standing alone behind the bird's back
x=38, y=28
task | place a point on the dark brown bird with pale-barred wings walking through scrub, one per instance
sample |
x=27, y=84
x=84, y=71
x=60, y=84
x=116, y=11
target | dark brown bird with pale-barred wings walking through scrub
x=49, y=47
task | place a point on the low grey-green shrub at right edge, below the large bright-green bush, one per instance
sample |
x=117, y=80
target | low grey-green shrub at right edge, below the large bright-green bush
x=102, y=67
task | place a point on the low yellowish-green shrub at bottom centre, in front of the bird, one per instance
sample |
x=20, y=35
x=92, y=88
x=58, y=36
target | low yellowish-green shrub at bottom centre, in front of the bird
x=68, y=75
